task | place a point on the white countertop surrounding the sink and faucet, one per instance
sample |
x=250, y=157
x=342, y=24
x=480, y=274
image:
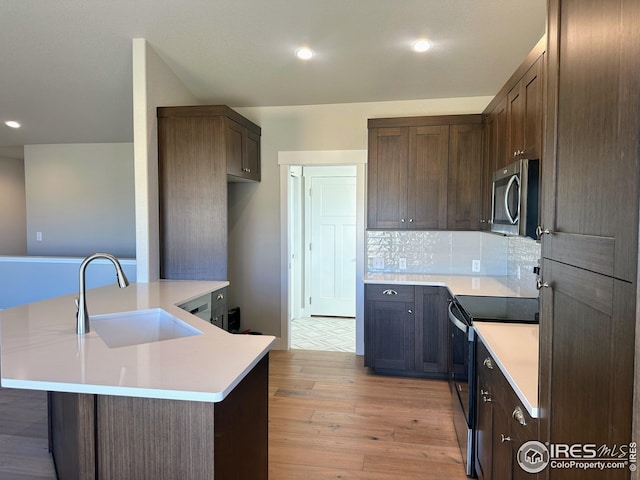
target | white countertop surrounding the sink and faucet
x=41, y=351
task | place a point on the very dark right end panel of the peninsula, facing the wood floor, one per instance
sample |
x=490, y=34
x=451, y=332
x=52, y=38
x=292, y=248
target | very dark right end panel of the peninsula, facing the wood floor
x=242, y=428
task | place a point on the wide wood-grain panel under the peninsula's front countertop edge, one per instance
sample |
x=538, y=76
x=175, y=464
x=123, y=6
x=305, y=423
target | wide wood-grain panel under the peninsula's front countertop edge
x=154, y=438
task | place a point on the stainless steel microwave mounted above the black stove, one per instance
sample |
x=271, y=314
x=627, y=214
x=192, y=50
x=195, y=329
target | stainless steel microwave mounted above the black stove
x=514, y=203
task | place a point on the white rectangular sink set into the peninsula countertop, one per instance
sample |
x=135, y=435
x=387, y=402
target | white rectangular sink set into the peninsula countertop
x=137, y=327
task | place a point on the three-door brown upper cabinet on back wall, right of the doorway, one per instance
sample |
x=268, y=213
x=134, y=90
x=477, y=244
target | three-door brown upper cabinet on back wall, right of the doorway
x=424, y=173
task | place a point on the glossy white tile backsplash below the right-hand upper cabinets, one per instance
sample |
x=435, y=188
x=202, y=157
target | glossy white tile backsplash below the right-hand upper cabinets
x=451, y=253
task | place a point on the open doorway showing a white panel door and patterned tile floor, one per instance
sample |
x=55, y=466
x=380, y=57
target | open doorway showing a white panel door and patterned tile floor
x=322, y=226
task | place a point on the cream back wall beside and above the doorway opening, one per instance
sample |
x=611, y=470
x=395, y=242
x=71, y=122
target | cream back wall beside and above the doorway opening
x=254, y=209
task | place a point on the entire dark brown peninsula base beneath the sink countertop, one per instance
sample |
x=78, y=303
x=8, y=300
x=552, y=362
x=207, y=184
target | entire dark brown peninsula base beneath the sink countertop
x=108, y=437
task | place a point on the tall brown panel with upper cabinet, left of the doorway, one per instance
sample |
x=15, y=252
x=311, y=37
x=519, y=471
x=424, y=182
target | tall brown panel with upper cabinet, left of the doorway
x=200, y=148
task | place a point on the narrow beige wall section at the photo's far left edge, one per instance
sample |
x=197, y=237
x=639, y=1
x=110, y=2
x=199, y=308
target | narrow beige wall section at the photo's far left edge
x=13, y=207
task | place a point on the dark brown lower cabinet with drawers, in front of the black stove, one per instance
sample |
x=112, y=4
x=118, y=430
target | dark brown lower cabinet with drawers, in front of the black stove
x=503, y=425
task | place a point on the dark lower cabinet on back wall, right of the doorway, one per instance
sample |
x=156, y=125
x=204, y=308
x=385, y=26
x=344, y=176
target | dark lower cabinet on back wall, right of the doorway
x=406, y=330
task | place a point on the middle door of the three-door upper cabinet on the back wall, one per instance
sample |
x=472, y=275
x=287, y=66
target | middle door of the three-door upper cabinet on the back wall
x=427, y=177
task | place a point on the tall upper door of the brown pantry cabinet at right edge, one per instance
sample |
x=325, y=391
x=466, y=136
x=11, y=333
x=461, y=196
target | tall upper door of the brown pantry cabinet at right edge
x=591, y=162
